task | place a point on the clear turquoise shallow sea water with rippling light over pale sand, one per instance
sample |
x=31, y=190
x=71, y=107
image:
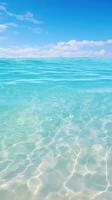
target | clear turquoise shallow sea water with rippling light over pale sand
x=56, y=129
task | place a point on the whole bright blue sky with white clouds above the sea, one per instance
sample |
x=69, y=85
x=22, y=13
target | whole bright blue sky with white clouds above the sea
x=54, y=28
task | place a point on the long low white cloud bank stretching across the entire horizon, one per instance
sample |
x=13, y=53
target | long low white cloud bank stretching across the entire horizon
x=72, y=48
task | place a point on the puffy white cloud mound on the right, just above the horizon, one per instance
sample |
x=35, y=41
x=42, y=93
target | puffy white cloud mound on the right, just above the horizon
x=83, y=48
